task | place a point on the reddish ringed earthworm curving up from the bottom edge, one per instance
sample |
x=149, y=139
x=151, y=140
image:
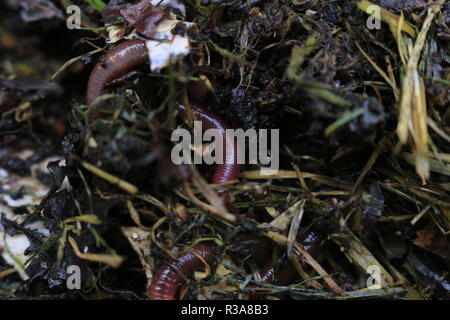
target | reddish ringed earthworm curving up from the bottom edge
x=166, y=280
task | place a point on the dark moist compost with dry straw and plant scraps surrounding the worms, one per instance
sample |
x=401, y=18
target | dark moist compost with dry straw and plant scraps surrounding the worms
x=91, y=205
